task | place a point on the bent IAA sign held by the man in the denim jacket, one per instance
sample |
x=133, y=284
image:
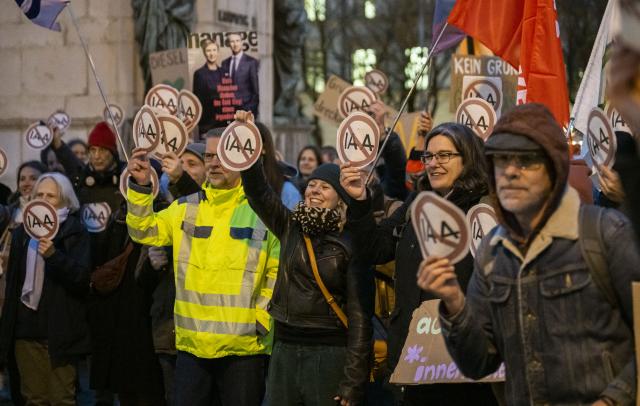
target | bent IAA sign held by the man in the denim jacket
x=441, y=227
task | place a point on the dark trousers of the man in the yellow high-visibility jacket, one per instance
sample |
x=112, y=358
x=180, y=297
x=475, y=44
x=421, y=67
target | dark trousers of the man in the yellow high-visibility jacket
x=227, y=381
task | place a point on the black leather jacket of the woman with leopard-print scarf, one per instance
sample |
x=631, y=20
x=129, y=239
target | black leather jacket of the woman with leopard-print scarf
x=297, y=300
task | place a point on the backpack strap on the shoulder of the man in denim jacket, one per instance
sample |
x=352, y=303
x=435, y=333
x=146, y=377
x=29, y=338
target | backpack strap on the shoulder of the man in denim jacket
x=594, y=251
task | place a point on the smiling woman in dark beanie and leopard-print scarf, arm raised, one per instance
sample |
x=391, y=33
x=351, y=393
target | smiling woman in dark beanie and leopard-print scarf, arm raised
x=316, y=359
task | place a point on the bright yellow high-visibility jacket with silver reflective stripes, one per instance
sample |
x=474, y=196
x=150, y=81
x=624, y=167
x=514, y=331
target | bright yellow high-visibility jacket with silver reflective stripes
x=225, y=264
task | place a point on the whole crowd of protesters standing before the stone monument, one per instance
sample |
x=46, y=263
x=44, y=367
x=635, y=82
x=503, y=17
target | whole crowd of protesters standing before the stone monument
x=213, y=291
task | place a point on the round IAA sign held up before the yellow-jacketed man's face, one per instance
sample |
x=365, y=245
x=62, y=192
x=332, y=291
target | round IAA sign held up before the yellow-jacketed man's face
x=240, y=146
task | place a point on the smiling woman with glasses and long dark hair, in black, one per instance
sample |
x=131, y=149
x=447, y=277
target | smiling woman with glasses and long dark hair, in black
x=455, y=169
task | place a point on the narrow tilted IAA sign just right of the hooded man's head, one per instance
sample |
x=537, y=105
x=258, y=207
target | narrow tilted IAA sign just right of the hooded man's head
x=600, y=138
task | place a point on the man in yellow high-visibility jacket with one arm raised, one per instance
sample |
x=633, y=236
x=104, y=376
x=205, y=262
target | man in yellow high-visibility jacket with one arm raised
x=225, y=264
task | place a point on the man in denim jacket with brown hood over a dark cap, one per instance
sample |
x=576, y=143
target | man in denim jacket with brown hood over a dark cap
x=550, y=295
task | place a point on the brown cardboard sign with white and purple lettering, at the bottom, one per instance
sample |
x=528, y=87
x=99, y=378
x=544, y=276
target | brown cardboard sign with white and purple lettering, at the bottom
x=425, y=359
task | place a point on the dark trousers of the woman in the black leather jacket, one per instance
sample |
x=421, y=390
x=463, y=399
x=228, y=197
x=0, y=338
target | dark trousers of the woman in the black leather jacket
x=304, y=374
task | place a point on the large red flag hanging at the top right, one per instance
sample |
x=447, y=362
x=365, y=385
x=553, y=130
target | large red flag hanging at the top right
x=526, y=34
